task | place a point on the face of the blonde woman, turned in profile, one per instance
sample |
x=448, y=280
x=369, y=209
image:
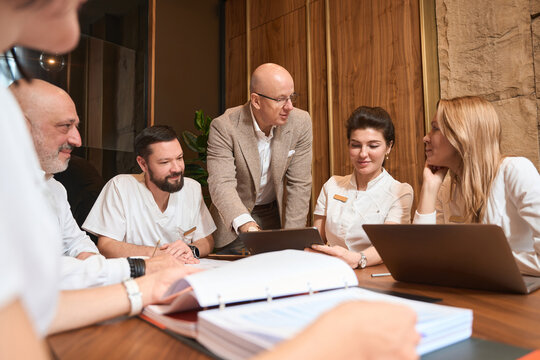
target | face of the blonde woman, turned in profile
x=439, y=151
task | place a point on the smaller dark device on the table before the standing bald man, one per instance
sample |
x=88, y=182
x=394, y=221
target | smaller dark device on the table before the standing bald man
x=273, y=240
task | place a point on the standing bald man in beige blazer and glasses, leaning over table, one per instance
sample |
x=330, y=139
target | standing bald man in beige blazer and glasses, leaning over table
x=259, y=161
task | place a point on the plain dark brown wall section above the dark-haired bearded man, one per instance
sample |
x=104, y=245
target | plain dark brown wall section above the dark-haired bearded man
x=186, y=62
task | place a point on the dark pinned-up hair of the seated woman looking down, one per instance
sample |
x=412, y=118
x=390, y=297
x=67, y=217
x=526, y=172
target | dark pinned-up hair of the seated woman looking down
x=366, y=117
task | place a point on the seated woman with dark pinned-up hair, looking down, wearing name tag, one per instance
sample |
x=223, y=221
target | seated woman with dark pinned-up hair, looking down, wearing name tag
x=367, y=196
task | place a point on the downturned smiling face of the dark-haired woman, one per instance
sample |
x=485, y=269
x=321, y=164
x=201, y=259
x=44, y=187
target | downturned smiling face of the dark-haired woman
x=367, y=149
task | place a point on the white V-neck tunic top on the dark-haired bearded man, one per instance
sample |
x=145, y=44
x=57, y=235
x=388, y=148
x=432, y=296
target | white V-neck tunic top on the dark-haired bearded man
x=126, y=211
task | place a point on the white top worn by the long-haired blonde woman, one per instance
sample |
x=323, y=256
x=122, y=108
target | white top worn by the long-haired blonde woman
x=513, y=204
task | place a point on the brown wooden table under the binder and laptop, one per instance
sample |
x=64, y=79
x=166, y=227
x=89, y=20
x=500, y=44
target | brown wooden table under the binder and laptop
x=511, y=319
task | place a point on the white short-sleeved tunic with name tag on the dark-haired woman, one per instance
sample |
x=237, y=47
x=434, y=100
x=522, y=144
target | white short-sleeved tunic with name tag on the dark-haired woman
x=346, y=209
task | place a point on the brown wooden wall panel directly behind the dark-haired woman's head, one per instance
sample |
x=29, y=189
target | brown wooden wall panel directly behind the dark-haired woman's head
x=377, y=62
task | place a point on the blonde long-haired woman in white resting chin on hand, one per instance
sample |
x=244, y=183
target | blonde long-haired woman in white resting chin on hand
x=482, y=185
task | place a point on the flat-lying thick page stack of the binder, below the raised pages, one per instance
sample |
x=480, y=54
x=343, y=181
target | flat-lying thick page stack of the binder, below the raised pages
x=240, y=332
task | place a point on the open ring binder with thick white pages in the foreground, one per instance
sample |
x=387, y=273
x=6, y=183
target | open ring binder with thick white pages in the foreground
x=235, y=330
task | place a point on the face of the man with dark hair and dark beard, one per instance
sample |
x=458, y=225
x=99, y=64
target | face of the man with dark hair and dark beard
x=164, y=167
